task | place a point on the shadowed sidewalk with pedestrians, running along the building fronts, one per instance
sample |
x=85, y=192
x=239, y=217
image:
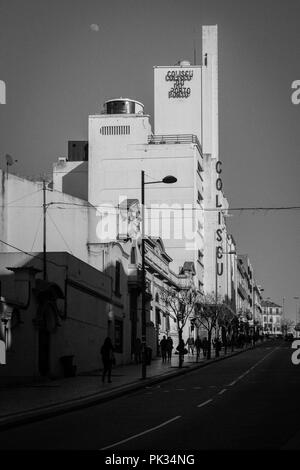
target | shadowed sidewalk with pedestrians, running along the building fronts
x=35, y=401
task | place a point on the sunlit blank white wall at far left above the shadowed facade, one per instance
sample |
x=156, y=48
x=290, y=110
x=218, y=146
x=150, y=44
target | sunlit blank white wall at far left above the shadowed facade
x=66, y=220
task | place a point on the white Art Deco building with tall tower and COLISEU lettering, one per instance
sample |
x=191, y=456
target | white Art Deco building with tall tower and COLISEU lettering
x=188, y=215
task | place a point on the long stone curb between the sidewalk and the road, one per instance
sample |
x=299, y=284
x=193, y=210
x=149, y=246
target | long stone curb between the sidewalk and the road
x=42, y=413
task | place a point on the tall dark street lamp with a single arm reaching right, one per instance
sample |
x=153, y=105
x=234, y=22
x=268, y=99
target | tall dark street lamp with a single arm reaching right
x=166, y=180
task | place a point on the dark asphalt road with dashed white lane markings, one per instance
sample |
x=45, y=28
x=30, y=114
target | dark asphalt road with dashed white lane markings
x=250, y=401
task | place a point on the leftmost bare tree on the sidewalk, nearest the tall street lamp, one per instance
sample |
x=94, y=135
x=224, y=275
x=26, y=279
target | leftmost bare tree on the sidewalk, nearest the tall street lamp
x=181, y=304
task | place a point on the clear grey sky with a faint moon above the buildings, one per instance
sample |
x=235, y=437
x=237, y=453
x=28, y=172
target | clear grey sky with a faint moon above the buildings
x=61, y=59
